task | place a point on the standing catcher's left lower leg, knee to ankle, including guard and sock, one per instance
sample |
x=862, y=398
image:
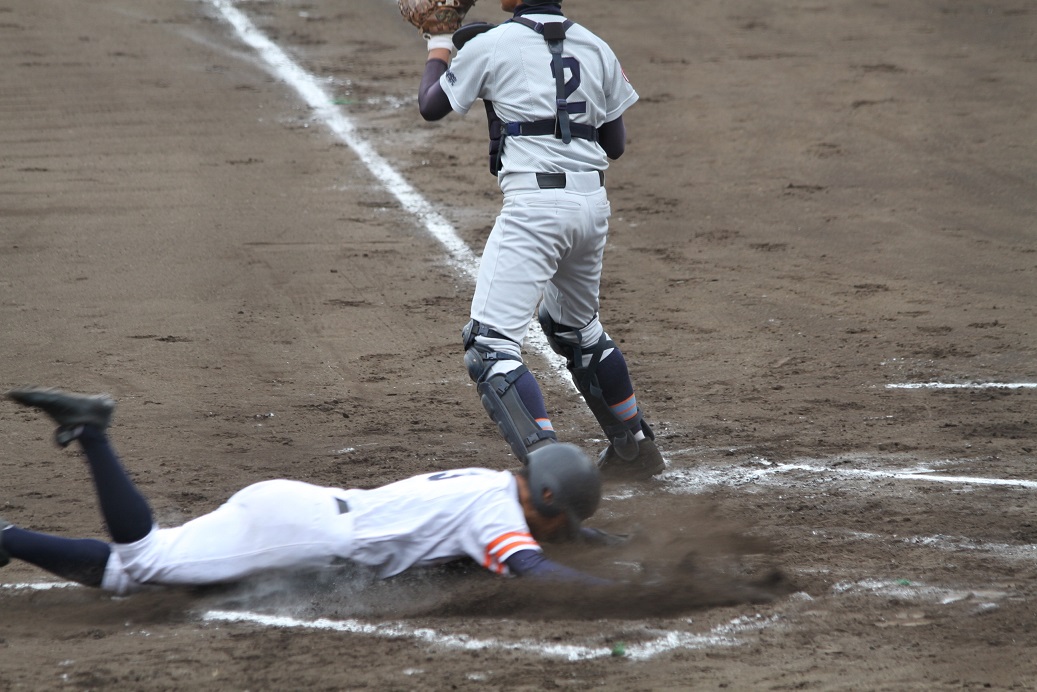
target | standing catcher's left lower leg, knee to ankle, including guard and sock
x=509, y=392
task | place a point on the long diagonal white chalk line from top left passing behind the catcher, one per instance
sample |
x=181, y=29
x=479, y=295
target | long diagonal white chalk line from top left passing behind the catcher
x=326, y=112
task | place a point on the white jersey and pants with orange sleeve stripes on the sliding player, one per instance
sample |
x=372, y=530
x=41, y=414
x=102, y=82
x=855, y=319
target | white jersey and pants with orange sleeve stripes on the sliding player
x=288, y=524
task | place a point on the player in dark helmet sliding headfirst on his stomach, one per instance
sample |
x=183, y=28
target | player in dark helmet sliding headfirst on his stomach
x=496, y=518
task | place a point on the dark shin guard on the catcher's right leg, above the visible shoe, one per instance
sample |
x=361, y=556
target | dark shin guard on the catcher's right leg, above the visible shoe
x=621, y=433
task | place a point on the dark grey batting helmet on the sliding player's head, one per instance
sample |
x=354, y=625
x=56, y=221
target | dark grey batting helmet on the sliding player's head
x=572, y=478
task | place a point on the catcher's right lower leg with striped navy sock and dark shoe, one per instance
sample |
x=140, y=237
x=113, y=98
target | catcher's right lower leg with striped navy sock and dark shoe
x=600, y=372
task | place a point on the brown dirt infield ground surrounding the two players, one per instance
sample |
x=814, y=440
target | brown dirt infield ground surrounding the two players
x=824, y=206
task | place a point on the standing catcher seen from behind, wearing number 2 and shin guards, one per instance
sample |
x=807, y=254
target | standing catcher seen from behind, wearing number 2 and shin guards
x=555, y=96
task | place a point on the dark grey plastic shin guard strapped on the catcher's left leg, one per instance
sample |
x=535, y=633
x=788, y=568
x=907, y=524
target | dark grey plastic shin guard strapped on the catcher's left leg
x=501, y=399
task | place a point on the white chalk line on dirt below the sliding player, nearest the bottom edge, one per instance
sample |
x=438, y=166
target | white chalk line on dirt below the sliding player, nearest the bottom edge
x=724, y=635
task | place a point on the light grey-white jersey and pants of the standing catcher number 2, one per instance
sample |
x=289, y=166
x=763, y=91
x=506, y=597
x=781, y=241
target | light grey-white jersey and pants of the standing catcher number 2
x=546, y=242
